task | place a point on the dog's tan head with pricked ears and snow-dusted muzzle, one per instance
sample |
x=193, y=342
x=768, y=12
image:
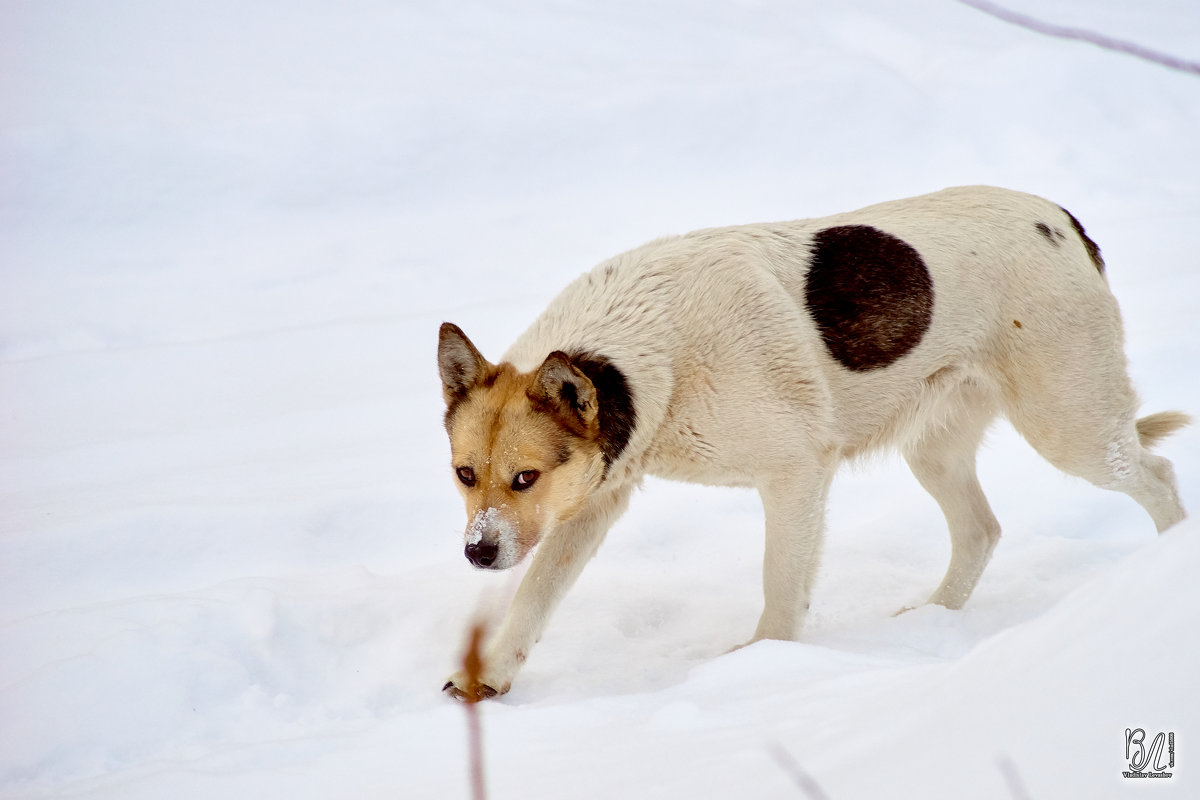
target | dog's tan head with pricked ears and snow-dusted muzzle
x=527, y=448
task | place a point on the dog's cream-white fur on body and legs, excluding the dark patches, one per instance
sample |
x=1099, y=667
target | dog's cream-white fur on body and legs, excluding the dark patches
x=734, y=386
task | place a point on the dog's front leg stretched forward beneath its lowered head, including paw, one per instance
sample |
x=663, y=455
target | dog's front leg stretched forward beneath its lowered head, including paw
x=556, y=566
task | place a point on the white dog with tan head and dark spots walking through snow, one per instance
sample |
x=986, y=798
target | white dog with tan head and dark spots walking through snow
x=765, y=357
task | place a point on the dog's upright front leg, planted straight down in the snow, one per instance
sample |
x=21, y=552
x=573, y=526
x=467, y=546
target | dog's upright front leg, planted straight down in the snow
x=795, y=512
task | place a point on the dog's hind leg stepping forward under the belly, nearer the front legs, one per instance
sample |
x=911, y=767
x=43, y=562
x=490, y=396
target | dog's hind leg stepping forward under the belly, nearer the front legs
x=944, y=460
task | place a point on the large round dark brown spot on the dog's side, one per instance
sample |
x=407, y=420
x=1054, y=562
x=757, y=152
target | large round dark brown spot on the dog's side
x=871, y=296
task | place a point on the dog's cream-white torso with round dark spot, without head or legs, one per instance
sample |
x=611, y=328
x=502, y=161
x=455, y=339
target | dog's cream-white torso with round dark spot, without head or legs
x=855, y=328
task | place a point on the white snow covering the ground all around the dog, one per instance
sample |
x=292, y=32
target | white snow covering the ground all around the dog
x=231, y=548
